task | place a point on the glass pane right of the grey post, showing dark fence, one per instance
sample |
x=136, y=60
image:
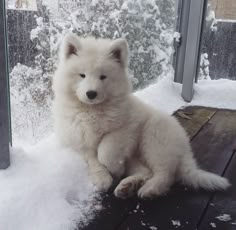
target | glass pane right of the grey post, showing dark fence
x=218, y=48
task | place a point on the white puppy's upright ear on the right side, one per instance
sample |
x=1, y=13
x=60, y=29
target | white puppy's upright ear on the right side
x=119, y=51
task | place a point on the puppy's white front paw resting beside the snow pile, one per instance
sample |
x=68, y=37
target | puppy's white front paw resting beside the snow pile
x=102, y=181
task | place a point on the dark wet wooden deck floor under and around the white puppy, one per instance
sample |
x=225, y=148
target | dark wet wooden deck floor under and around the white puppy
x=213, y=135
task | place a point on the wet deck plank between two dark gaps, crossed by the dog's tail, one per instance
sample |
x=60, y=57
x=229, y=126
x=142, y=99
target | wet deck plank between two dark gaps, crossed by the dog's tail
x=213, y=147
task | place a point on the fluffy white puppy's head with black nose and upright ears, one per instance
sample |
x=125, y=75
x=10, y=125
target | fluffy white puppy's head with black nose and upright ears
x=94, y=70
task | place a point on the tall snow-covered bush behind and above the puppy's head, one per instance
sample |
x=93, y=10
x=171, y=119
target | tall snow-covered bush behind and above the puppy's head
x=147, y=25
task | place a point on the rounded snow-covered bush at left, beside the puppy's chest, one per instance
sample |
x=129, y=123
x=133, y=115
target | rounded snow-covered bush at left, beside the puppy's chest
x=30, y=103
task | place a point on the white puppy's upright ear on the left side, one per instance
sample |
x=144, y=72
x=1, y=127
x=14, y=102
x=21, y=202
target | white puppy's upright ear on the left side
x=70, y=46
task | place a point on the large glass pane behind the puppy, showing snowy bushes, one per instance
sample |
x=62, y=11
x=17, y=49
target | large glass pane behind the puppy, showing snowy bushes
x=35, y=32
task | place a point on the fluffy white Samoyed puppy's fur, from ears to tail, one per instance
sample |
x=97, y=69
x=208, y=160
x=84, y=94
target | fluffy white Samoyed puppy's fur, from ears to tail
x=117, y=133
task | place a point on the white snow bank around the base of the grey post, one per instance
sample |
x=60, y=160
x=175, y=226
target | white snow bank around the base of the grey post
x=166, y=95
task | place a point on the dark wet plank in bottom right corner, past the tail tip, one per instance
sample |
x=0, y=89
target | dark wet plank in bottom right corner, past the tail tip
x=222, y=204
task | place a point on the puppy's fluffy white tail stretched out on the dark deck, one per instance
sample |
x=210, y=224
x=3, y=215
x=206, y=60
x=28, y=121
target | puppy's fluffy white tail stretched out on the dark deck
x=191, y=175
